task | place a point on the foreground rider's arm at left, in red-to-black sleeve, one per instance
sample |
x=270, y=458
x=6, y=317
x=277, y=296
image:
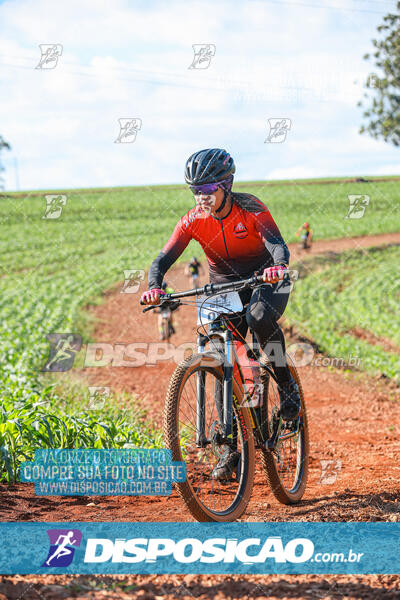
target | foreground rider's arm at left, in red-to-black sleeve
x=176, y=244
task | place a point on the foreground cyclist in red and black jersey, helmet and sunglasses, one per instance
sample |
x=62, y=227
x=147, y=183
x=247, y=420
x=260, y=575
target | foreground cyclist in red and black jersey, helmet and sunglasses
x=239, y=238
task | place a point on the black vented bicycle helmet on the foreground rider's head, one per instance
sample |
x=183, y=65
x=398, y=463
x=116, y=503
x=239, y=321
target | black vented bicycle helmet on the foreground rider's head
x=209, y=166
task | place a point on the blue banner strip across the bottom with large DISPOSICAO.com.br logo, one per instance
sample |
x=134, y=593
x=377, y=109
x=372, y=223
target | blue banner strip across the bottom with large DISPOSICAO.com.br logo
x=291, y=548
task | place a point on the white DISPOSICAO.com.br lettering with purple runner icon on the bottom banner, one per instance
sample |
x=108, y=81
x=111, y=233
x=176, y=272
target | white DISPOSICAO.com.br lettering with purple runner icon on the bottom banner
x=189, y=550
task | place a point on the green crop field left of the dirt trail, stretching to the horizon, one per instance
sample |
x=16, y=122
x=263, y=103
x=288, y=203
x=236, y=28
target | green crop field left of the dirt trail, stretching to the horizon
x=50, y=269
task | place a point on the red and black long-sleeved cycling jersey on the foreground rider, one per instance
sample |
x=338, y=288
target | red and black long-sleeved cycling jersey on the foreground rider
x=245, y=241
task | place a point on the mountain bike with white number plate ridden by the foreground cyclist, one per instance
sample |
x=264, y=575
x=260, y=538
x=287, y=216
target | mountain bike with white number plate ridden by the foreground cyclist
x=210, y=402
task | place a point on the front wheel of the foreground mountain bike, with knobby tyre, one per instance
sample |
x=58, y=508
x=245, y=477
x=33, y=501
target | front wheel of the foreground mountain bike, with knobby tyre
x=207, y=499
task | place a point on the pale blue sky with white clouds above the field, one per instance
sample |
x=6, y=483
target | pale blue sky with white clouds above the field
x=295, y=59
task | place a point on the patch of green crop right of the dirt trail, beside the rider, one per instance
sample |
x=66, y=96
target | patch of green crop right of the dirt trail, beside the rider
x=349, y=306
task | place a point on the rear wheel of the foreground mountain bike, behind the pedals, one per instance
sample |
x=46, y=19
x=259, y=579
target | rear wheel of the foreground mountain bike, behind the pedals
x=286, y=467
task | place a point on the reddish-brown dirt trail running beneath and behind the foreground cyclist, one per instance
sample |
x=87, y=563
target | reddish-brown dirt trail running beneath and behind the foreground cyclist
x=354, y=422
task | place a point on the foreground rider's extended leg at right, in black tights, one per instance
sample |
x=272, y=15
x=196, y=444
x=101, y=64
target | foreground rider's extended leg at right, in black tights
x=266, y=306
